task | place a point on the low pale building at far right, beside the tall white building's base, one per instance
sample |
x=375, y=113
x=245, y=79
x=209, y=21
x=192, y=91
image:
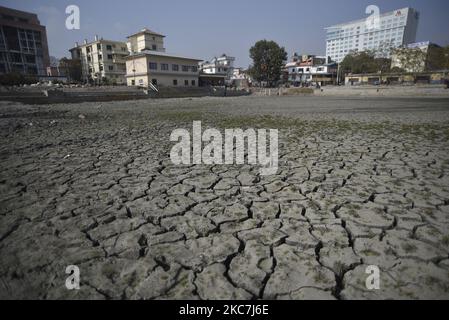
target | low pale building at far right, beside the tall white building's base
x=413, y=57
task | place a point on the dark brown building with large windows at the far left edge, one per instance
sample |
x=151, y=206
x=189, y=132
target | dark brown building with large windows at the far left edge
x=23, y=43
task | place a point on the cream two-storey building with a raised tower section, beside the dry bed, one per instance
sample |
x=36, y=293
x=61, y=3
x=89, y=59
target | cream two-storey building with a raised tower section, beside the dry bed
x=148, y=63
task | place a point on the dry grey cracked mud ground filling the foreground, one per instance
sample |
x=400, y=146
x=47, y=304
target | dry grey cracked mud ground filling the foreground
x=361, y=182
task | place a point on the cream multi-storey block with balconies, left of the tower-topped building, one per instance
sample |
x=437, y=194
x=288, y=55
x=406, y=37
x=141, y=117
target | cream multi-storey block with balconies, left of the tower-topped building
x=102, y=60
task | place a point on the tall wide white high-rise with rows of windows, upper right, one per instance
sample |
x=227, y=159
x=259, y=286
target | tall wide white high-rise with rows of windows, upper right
x=394, y=29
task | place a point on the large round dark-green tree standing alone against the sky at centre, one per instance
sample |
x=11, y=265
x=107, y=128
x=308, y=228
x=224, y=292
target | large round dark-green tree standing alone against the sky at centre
x=268, y=60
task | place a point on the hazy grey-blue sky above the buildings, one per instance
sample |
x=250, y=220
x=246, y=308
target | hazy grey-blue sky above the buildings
x=206, y=28
